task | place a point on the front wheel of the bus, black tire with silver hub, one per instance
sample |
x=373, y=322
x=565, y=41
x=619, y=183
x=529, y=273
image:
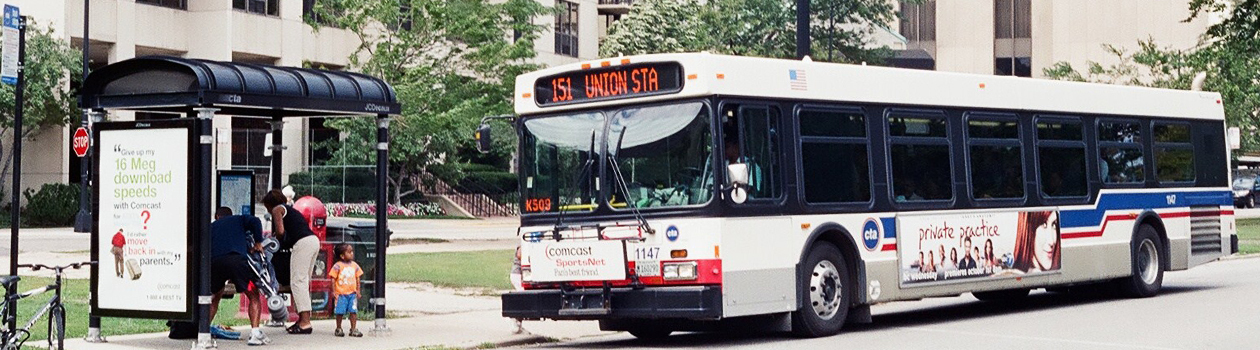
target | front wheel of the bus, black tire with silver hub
x=825, y=285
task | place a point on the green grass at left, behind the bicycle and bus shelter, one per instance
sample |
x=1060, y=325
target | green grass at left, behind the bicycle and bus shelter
x=76, y=293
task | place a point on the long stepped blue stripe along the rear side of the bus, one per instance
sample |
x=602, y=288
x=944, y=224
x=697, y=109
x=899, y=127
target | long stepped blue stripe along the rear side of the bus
x=1141, y=201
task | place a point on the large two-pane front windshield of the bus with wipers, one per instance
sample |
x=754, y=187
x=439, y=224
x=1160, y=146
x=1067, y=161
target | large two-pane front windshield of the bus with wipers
x=663, y=155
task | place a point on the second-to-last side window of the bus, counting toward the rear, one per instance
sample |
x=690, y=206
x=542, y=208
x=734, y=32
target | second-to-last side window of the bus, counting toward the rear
x=1121, y=161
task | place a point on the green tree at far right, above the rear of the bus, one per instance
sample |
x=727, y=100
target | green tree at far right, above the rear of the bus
x=1229, y=55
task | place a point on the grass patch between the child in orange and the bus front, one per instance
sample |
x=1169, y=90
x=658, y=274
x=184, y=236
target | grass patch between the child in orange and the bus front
x=477, y=270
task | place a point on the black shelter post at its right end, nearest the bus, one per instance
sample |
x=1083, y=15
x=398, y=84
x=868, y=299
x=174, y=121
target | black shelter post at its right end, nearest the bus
x=379, y=290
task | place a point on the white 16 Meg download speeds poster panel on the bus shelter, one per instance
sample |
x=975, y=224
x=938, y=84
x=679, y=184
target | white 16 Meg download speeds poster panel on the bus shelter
x=143, y=222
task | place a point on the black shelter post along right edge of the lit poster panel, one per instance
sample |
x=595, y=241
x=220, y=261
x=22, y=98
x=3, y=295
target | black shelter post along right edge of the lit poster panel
x=206, y=133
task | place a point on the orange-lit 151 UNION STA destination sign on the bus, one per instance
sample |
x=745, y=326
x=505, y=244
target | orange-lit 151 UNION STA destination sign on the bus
x=609, y=84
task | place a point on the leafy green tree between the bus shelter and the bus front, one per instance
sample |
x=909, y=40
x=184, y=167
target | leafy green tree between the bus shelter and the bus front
x=450, y=64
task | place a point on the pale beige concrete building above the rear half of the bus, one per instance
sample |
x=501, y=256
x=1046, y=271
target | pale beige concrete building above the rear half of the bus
x=1024, y=37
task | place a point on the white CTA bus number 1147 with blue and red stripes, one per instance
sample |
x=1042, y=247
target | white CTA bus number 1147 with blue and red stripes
x=671, y=192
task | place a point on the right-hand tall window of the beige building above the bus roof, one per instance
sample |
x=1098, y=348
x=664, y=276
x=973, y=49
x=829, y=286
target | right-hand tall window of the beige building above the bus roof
x=1012, y=38
